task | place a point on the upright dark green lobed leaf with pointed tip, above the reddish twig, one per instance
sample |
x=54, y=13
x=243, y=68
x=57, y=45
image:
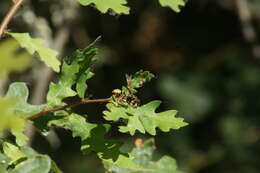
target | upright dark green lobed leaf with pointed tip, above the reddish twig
x=75, y=70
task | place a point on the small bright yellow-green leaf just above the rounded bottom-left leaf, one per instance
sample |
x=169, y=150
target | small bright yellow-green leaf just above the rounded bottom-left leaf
x=12, y=151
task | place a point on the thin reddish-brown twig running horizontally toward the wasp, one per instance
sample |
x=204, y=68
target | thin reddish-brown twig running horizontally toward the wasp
x=82, y=101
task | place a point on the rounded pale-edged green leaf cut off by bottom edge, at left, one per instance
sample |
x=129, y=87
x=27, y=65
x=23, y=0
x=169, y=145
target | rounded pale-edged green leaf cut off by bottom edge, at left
x=37, y=164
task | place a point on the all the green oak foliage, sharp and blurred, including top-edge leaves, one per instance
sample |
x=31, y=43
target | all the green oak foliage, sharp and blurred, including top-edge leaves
x=124, y=108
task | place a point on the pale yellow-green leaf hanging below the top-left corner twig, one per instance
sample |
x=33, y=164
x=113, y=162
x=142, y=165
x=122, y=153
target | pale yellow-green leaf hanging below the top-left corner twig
x=32, y=45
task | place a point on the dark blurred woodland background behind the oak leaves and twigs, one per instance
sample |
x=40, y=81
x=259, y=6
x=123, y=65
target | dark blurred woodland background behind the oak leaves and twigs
x=206, y=60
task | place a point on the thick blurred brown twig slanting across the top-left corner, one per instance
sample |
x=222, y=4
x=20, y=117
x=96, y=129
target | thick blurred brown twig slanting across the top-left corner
x=9, y=16
